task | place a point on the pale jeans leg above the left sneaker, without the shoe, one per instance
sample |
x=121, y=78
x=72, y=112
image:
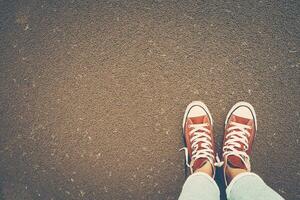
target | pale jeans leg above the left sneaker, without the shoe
x=200, y=186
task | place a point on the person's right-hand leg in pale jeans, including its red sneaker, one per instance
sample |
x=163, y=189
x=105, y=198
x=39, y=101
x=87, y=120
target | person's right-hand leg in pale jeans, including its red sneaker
x=240, y=129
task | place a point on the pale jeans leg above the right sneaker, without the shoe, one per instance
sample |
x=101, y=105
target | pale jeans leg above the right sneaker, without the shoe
x=248, y=186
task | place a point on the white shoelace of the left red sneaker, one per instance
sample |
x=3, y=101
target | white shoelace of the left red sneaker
x=200, y=135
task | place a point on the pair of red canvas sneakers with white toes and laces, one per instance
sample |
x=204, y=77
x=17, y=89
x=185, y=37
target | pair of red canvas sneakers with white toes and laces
x=240, y=129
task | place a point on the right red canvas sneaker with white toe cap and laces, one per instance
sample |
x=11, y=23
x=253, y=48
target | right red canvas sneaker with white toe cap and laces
x=240, y=129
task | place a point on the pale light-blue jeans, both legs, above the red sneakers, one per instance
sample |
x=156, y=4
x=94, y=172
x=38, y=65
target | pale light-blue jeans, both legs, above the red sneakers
x=245, y=186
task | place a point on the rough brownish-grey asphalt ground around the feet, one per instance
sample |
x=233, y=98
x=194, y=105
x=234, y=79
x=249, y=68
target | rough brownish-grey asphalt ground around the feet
x=92, y=93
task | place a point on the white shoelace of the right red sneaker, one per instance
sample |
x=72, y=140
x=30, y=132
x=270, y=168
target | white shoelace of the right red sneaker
x=234, y=139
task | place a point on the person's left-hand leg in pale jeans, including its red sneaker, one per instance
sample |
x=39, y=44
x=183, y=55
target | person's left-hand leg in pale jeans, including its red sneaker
x=200, y=151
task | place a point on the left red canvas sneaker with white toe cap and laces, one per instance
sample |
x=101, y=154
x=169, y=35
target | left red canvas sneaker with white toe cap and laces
x=198, y=135
